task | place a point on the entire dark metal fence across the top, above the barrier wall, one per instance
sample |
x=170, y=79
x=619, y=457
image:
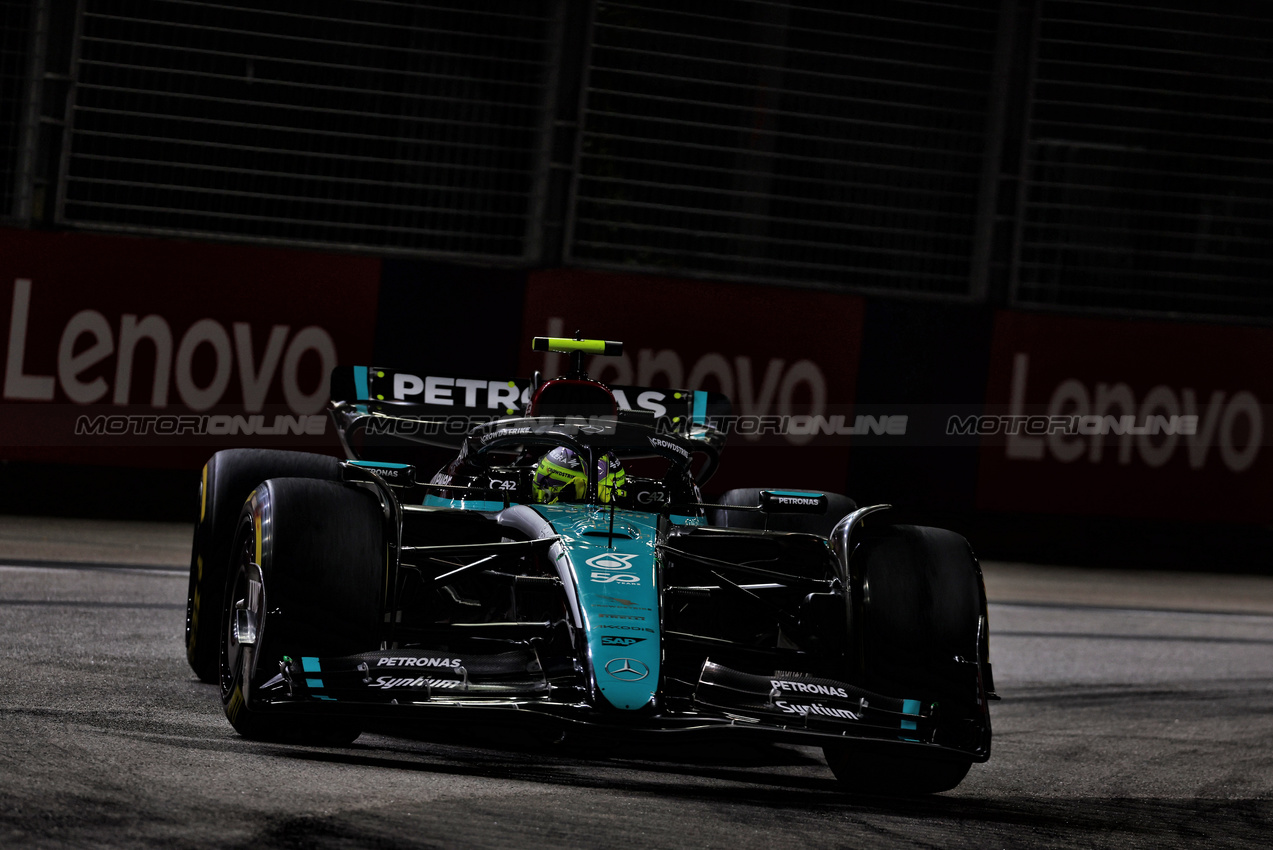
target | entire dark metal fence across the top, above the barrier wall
x=841, y=146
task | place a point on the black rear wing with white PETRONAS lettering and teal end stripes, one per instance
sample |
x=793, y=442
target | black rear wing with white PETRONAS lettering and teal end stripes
x=361, y=393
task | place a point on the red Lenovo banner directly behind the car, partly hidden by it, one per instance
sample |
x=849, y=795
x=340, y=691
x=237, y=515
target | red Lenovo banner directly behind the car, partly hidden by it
x=787, y=358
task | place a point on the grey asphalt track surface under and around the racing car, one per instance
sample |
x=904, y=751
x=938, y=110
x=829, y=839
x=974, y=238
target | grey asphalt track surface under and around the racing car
x=1137, y=713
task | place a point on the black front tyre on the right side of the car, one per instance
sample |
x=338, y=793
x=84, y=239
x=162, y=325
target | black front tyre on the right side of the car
x=922, y=608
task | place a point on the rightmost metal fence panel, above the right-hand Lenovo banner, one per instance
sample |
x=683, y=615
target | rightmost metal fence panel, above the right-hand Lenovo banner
x=1150, y=162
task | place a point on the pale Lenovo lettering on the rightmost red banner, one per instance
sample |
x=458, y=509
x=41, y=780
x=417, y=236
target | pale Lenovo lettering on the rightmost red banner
x=1234, y=424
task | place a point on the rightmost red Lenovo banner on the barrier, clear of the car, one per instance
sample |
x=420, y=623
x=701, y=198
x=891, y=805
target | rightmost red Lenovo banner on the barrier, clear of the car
x=1127, y=419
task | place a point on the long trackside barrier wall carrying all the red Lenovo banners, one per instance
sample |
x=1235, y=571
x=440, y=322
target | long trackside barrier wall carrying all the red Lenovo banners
x=1146, y=424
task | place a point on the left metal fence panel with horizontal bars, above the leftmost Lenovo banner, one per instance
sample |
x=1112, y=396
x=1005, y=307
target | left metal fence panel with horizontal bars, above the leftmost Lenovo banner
x=361, y=124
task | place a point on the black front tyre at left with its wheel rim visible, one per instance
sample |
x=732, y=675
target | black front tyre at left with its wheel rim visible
x=309, y=571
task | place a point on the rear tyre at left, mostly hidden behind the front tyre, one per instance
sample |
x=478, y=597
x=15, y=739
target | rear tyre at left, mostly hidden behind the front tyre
x=229, y=479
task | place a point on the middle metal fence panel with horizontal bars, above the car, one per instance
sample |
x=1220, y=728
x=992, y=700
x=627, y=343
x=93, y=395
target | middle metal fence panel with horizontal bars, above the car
x=840, y=146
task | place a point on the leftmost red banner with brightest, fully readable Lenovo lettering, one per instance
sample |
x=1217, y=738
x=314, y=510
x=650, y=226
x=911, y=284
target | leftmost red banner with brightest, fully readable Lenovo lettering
x=157, y=353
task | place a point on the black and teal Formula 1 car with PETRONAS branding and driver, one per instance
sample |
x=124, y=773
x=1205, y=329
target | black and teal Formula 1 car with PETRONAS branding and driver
x=565, y=571
